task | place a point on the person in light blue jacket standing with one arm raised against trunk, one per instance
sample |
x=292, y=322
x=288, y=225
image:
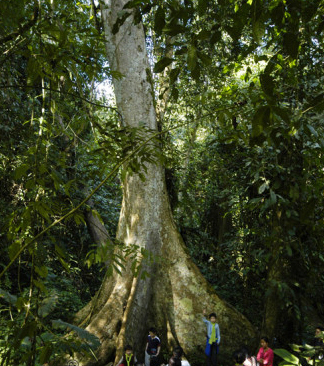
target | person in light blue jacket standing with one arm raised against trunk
x=213, y=339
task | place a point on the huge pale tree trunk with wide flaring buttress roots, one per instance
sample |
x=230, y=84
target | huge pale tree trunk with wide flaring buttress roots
x=173, y=295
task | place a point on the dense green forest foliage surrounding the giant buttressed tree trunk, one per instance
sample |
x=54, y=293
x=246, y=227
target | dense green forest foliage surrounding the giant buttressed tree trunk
x=242, y=83
